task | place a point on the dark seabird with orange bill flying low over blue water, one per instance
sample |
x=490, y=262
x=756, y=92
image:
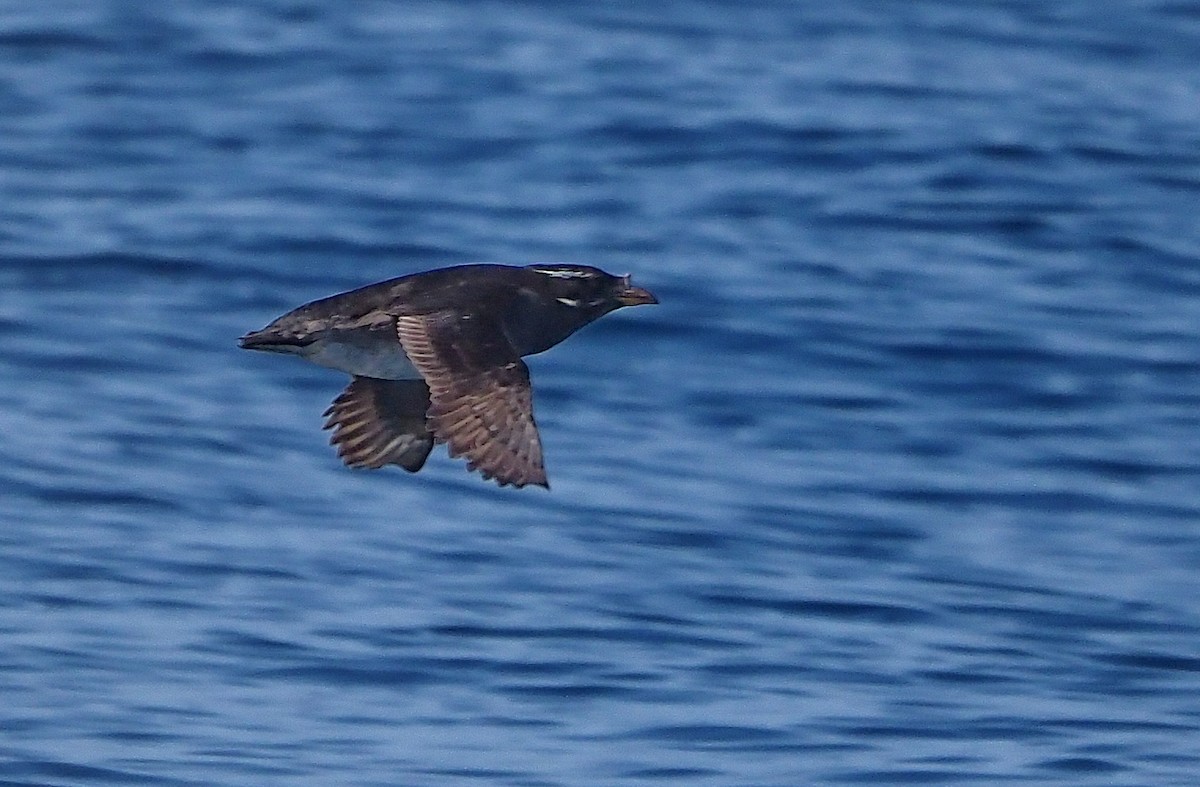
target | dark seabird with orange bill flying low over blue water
x=436, y=358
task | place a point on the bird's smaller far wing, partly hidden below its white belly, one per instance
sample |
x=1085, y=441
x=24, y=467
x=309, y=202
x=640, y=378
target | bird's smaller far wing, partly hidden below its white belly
x=379, y=423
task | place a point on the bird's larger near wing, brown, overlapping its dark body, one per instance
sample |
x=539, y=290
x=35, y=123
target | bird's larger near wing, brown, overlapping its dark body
x=482, y=405
